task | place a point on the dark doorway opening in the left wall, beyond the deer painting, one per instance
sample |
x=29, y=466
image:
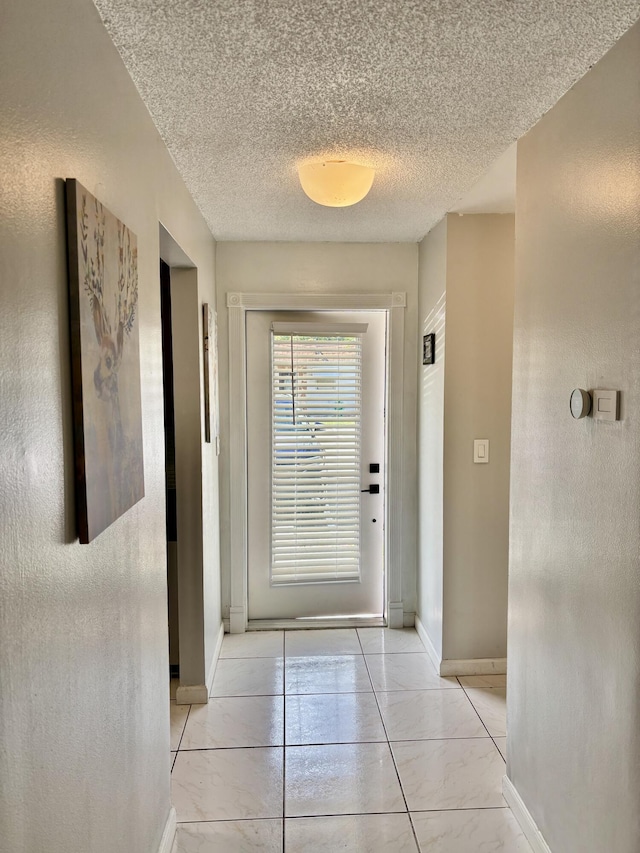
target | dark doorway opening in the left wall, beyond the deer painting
x=180, y=324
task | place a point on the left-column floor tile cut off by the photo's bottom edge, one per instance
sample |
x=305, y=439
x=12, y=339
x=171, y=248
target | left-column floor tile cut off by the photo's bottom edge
x=232, y=836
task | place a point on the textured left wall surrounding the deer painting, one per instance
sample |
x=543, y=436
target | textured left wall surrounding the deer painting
x=84, y=721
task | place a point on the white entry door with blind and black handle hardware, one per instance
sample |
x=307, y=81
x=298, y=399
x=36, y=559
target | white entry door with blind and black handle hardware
x=316, y=385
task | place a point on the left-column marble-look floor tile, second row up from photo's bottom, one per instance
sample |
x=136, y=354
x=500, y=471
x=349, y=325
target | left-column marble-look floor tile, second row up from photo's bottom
x=228, y=784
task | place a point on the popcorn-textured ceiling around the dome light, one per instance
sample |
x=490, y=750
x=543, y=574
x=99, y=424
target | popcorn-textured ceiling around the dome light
x=429, y=92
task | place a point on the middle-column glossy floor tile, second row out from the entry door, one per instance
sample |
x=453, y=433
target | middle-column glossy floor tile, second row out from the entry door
x=342, y=674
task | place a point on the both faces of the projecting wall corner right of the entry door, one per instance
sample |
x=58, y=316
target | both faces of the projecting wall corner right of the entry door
x=466, y=297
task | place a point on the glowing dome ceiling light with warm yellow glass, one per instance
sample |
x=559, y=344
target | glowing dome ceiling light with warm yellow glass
x=336, y=183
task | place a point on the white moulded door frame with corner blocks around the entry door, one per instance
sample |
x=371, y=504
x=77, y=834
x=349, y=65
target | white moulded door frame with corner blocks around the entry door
x=237, y=305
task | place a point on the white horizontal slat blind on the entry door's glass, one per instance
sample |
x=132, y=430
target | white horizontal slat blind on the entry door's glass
x=316, y=421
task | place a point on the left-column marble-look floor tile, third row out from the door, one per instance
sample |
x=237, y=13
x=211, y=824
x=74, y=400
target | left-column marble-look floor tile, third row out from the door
x=234, y=721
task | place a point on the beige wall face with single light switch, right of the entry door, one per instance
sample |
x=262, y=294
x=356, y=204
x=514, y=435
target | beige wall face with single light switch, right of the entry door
x=477, y=394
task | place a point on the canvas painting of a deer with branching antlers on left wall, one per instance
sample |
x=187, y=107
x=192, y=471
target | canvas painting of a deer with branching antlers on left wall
x=105, y=352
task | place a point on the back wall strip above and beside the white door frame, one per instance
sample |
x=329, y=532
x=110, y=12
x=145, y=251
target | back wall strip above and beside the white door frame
x=323, y=268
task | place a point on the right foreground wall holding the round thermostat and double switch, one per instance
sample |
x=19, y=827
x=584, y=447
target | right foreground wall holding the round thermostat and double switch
x=574, y=598
